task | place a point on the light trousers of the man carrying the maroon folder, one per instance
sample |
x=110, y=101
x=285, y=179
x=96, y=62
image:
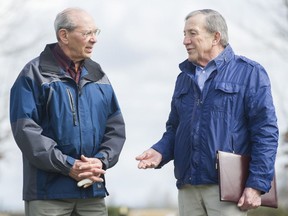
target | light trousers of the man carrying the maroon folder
x=204, y=201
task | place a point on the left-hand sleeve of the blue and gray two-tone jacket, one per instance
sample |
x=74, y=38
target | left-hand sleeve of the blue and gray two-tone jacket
x=25, y=118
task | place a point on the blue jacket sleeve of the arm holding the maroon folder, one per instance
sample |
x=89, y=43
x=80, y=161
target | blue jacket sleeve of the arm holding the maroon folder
x=263, y=130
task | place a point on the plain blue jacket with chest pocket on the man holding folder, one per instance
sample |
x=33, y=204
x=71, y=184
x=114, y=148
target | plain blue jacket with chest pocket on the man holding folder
x=233, y=113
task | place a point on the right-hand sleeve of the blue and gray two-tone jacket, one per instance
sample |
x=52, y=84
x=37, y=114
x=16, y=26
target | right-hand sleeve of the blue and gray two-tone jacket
x=114, y=135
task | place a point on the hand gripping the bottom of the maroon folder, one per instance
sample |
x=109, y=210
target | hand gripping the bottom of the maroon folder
x=250, y=199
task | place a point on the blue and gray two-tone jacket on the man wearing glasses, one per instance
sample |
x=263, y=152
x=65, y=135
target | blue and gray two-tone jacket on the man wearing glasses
x=54, y=121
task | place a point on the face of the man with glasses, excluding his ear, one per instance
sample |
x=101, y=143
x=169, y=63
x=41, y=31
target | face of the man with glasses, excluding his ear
x=82, y=39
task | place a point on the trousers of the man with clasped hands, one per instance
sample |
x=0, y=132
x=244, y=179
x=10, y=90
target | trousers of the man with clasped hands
x=66, y=207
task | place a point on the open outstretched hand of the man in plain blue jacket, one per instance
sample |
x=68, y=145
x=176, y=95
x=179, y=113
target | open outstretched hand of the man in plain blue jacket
x=149, y=159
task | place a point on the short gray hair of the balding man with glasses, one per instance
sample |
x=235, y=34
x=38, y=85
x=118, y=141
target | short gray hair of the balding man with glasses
x=64, y=21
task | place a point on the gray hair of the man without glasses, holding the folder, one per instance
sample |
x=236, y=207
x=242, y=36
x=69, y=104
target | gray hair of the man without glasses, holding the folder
x=215, y=22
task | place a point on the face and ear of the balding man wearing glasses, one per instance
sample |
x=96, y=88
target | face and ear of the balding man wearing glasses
x=78, y=43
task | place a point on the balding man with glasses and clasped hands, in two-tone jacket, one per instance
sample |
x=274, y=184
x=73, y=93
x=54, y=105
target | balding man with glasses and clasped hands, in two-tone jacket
x=67, y=122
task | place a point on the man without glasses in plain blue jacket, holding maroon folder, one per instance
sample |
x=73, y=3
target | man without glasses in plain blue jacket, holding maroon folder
x=221, y=102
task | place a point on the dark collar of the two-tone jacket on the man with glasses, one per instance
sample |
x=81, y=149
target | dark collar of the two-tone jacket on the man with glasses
x=48, y=64
